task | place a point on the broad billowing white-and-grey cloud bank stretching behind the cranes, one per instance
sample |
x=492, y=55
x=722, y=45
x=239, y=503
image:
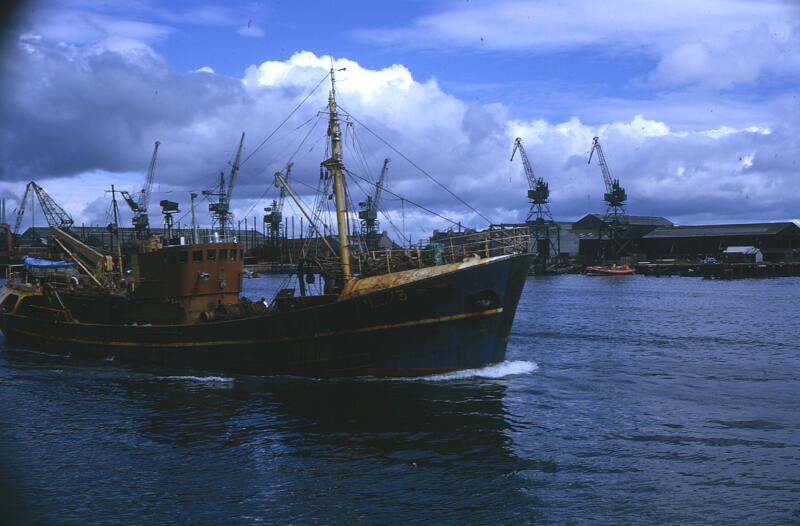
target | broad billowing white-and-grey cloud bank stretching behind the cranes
x=73, y=111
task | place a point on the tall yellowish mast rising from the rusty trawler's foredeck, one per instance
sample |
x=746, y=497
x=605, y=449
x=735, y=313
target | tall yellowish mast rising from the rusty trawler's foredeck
x=336, y=167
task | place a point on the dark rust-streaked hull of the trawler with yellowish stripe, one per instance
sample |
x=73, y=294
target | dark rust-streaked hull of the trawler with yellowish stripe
x=458, y=320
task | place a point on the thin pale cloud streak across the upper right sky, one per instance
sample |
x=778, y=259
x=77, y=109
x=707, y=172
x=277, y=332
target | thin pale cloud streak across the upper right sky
x=714, y=43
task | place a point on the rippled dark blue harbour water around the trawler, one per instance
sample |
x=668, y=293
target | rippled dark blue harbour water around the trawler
x=624, y=400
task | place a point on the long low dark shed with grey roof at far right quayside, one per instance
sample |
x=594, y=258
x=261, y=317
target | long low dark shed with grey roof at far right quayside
x=777, y=241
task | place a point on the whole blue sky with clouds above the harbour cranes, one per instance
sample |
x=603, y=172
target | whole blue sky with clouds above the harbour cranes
x=695, y=103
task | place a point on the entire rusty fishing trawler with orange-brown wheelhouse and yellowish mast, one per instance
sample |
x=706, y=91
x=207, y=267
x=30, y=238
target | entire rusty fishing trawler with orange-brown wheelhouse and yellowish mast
x=178, y=302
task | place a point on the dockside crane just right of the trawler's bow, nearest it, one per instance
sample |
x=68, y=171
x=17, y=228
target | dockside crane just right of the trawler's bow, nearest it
x=545, y=232
